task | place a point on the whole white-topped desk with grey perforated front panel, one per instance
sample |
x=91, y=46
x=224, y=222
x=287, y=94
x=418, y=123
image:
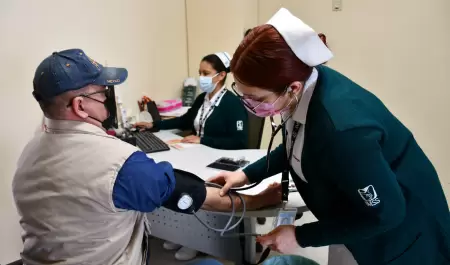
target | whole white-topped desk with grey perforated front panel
x=185, y=229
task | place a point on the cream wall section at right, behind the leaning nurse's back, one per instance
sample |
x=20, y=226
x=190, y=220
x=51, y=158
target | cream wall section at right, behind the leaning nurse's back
x=397, y=49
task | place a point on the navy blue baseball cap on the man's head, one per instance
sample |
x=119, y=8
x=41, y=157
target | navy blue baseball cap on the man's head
x=71, y=70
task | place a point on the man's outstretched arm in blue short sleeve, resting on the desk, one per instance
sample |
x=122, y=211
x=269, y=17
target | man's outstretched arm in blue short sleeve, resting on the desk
x=143, y=185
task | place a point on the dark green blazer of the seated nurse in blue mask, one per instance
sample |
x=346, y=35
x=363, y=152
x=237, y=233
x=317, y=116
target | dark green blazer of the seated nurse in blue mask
x=226, y=128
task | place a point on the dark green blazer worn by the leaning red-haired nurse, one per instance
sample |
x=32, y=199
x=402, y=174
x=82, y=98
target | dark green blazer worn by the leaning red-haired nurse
x=368, y=182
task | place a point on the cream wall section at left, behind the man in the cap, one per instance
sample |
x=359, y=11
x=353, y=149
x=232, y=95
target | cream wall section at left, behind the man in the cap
x=147, y=37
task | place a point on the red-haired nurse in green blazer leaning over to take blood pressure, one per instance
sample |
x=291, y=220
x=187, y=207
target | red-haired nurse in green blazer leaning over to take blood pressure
x=358, y=168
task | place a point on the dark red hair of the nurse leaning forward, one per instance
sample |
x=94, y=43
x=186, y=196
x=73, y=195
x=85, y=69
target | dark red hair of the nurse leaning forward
x=263, y=59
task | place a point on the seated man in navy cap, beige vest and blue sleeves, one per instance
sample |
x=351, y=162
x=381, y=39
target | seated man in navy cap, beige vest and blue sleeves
x=82, y=195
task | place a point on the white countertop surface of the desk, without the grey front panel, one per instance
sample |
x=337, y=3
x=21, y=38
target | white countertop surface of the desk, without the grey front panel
x=195, y=158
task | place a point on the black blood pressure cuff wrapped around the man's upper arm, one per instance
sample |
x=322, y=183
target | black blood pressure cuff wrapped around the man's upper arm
x=187, y=184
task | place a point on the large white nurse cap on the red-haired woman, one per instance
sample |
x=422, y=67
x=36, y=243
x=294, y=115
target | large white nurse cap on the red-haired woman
x=301, y=38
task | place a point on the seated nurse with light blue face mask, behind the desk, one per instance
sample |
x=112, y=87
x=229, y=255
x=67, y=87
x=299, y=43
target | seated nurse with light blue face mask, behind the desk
x=217, y=118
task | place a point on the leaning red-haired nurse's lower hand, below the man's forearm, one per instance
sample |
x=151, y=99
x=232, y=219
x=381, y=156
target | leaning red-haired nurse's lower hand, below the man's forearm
x=282, y=240
